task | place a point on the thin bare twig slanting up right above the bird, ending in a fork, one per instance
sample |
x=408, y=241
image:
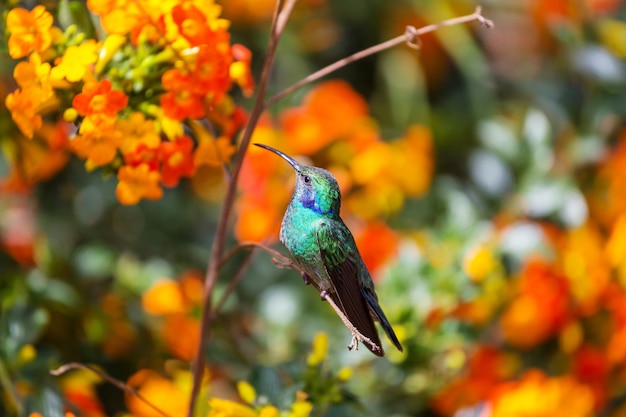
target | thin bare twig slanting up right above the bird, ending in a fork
x=410, y=36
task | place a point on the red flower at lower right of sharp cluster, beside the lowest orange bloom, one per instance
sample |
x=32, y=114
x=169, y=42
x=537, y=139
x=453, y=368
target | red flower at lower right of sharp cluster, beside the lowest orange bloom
x=177, y=160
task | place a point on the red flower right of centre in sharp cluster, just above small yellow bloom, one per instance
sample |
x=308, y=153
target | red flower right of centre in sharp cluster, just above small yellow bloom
x=180, y=101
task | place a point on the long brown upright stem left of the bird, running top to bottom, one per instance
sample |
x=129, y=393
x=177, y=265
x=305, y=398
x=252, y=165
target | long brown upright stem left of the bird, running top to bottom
x=278, y=22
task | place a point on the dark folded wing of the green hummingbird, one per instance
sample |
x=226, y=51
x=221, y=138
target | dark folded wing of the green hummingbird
x=338, y=255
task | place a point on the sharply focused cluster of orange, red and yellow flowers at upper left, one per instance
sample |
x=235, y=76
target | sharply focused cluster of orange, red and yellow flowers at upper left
x=108, y=89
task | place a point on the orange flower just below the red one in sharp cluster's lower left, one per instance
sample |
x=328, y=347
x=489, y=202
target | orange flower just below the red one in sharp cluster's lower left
x=98, y=147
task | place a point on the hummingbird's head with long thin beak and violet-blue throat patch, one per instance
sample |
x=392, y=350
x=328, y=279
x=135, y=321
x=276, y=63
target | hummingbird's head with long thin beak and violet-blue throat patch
x=316, y=188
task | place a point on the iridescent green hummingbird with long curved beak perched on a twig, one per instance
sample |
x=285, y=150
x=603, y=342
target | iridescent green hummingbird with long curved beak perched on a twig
x=324, y=248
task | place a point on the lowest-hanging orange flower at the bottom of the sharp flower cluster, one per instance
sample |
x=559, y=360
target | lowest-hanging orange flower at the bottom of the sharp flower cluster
x=136, y=183
